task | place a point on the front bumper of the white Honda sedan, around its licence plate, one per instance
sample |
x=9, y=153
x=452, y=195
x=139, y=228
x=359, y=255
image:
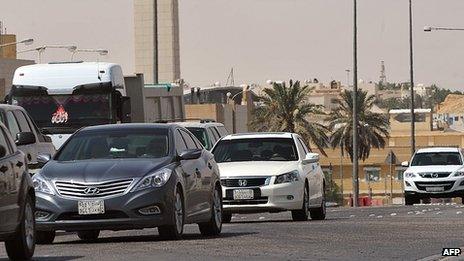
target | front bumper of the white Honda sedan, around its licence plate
x=270, y=198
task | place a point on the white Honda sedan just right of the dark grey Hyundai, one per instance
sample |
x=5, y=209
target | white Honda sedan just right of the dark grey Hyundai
x=270, y=172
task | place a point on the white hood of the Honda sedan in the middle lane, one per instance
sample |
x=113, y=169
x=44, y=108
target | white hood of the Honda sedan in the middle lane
x=256, y=168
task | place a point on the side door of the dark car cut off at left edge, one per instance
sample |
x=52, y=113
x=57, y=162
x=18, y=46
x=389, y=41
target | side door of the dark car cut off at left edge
x=10, y=181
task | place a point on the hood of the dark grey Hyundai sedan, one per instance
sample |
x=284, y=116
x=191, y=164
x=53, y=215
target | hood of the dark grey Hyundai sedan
x=101, y=170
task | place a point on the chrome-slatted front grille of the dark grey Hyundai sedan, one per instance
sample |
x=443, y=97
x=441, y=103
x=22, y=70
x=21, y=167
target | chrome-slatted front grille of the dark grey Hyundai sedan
x=93, y=190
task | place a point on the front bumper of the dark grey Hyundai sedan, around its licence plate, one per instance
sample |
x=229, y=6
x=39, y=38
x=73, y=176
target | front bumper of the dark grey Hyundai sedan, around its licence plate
x=121, y=212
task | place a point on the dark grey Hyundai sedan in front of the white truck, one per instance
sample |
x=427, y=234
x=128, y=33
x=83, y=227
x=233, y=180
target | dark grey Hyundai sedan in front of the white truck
x=129, y=176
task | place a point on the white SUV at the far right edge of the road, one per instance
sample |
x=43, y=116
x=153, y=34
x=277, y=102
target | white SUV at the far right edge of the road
x=434, y=173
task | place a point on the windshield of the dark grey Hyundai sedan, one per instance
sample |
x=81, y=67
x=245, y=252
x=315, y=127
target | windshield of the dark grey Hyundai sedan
x=116, y=144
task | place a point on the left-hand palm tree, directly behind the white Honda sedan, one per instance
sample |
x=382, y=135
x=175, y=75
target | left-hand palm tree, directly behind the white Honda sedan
x=286, y=109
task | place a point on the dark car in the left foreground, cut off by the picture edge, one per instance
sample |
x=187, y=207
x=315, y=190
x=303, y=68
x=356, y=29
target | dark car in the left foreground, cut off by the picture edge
x=17, y=197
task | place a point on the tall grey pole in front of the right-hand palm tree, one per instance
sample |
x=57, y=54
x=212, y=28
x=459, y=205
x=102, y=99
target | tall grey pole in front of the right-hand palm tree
x=355, y=107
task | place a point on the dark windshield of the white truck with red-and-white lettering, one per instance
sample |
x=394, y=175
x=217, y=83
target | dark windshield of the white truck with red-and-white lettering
x=52, y=112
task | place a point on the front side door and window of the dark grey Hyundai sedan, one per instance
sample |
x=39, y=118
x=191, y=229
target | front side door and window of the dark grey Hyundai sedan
x=197, y=167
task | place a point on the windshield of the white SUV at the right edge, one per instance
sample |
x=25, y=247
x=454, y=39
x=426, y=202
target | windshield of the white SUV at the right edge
x=436, y=158
